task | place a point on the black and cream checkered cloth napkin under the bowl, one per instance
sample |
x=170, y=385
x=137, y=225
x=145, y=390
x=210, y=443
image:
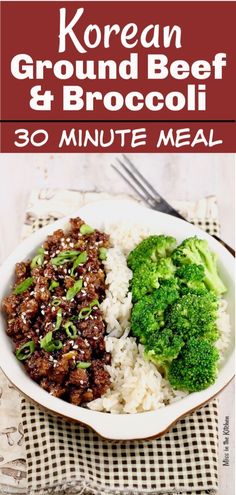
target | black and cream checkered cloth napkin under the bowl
x=64, y=458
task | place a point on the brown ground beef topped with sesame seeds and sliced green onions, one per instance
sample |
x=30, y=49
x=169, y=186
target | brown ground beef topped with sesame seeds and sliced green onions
x=53, y=314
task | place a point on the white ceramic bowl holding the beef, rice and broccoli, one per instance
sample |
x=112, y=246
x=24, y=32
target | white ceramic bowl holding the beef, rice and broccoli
x=117, y=426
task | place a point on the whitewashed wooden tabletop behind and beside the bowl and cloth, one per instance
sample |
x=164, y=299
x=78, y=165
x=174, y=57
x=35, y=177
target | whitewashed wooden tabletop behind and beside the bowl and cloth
x=177, y=176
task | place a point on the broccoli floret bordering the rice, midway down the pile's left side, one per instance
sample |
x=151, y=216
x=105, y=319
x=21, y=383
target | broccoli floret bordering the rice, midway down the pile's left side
x=148, y=314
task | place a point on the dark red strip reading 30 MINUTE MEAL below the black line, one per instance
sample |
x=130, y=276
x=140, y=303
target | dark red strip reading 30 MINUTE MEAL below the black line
x=126, y=137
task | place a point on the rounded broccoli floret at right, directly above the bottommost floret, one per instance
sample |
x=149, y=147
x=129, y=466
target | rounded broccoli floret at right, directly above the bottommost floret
x=194, y=315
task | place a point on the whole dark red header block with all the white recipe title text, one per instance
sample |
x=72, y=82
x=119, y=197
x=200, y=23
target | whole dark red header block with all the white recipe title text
x=157, y=66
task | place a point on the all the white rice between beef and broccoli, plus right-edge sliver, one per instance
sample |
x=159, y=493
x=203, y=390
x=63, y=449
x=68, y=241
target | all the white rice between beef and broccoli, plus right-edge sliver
x=136, y=384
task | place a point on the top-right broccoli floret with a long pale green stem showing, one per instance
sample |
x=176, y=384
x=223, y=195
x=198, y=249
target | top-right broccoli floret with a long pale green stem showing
x=194, y=250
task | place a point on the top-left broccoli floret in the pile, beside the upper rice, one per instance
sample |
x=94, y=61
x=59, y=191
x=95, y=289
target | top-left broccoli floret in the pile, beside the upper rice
x=152, y=248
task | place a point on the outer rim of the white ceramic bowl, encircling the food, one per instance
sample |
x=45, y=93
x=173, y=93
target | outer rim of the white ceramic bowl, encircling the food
x=101, y=422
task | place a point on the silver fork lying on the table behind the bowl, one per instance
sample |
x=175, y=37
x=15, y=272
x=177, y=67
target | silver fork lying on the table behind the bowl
x=131, y=175
